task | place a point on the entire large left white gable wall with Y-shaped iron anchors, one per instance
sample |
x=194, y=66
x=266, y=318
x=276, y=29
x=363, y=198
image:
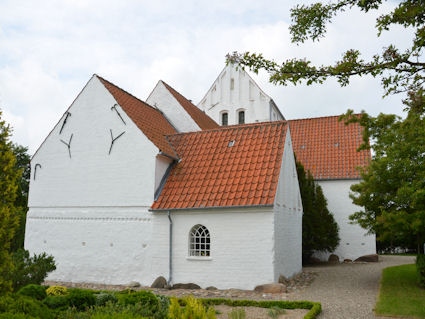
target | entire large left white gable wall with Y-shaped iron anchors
x=90, y=211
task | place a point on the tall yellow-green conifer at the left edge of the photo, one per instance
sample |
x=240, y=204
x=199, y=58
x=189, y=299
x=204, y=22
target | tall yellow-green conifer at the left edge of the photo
x=9, y=176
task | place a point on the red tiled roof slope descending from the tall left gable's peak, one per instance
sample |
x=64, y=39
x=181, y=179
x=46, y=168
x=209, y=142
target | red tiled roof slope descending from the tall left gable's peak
x=148, y=119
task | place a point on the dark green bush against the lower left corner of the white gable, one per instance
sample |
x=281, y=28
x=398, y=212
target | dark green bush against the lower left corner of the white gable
x=29, y=270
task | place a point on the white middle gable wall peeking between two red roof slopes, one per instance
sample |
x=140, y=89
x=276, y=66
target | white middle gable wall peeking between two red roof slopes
x=162, y=99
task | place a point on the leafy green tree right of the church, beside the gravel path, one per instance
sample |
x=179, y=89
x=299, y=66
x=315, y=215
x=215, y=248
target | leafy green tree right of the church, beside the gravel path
x=392, y=191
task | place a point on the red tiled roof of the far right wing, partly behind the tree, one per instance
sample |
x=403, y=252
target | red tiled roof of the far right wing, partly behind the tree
x=328, y=148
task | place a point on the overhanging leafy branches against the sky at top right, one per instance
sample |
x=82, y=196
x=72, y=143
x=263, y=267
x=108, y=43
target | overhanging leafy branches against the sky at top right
x=399, y=71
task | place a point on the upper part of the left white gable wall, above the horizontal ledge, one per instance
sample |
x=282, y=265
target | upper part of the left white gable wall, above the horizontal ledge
x=92, y=177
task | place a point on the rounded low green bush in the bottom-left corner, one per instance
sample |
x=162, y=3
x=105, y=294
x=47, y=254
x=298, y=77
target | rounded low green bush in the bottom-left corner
x=19, y=304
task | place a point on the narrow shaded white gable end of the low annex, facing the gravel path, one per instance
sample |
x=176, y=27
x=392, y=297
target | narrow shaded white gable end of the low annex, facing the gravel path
x=287, y=217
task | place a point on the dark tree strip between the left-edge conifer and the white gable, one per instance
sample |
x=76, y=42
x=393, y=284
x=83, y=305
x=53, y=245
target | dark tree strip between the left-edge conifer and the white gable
x=21, y=202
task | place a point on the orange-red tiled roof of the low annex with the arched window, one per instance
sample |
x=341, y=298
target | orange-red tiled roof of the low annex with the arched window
x=212, y=173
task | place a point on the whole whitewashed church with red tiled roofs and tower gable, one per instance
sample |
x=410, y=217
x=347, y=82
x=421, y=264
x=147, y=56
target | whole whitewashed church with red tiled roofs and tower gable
x=124, y=190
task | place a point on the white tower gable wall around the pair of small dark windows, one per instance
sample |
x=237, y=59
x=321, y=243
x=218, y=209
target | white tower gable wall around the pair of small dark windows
x=235, y=90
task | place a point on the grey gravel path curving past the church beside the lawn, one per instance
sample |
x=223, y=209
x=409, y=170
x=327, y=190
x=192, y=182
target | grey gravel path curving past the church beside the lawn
x=348, y=290
